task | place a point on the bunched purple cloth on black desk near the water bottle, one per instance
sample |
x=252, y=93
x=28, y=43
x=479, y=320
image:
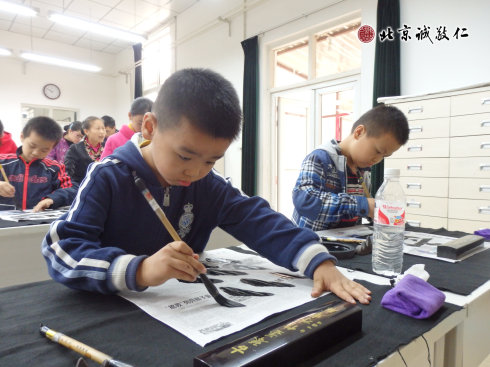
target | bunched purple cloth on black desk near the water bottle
x=413, y=297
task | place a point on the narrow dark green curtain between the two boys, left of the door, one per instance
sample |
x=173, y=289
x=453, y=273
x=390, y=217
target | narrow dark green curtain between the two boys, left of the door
x=250, y=115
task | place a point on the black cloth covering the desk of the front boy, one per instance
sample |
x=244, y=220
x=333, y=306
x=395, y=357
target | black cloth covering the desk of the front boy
x=119, y=328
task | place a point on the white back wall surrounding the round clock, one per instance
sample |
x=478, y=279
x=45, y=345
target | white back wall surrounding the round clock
x=22, y=82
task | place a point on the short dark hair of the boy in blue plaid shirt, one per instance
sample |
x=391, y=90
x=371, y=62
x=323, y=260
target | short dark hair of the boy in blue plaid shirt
x=384, y=119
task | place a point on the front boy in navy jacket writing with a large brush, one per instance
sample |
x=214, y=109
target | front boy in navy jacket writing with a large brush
x=111, y=240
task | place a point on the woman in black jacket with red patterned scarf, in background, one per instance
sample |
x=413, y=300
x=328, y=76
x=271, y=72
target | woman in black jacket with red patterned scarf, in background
x=89, y=150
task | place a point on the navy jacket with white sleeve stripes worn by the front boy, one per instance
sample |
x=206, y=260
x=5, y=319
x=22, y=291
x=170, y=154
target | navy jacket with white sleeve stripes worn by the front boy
x=111, y=228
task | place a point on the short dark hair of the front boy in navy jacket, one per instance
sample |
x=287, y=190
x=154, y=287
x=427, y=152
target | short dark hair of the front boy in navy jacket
x=205, y=98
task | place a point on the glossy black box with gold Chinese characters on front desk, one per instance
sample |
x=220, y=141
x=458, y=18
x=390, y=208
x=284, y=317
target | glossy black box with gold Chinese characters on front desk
x=291, y=341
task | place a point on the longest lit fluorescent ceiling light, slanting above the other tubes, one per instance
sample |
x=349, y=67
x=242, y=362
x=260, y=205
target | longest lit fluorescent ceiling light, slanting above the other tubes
x=96, y=28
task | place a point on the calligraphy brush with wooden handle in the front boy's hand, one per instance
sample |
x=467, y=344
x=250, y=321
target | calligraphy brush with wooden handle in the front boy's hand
x=163, y=218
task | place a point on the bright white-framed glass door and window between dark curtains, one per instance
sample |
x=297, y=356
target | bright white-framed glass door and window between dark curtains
x=315, y=82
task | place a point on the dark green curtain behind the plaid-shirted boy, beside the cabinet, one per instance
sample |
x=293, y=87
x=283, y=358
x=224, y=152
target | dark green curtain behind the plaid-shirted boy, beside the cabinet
x=386, y=68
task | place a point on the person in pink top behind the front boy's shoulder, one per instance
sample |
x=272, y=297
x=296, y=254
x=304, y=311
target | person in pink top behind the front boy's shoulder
x=139, y=107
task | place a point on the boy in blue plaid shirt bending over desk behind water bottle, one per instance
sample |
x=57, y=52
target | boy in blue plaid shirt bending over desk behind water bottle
x=329, y=192
